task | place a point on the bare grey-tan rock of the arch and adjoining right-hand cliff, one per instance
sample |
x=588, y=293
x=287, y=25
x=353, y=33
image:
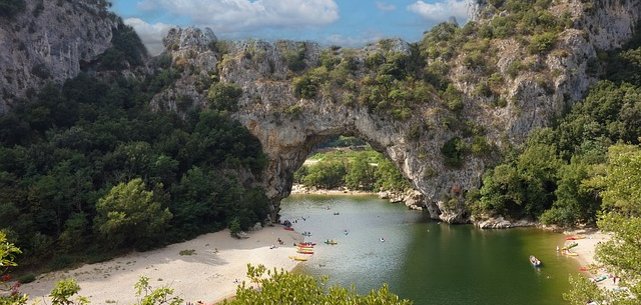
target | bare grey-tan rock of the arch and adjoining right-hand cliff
x=289, y=127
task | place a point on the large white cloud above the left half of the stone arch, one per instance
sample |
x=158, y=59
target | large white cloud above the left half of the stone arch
x=231, y=16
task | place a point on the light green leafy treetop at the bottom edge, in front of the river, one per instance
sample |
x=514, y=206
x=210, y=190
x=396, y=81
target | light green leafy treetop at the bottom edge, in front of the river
x=300, y=289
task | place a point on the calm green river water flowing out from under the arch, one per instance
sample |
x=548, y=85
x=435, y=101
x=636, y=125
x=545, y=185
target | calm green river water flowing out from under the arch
x=427, y=262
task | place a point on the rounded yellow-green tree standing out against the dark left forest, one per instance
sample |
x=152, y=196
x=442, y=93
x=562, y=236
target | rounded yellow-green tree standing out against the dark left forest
x=129, y=215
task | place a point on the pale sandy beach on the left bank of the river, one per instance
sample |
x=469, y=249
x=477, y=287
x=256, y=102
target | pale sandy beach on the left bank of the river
x=206, y=268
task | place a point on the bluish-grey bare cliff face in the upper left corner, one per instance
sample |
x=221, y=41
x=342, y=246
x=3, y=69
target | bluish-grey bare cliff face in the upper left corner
x=49, y=42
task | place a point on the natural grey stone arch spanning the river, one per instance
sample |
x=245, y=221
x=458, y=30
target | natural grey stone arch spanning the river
x=288, y=127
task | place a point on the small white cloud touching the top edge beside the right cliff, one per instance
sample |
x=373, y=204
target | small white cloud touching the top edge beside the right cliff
x=442, y=11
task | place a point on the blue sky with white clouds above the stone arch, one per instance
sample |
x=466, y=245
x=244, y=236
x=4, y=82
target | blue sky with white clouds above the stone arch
x=348, y=23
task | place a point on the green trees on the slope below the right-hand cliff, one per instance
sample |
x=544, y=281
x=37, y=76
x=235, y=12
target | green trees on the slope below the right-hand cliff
x=548, y=178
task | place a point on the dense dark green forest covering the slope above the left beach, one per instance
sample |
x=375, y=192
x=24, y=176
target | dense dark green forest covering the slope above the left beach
x=89, y=169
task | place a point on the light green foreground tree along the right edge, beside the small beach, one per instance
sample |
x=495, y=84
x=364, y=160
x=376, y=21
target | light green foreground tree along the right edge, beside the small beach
x=621, y=254
